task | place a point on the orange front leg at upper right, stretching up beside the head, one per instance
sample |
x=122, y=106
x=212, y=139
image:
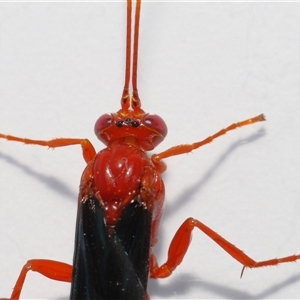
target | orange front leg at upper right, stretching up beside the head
x=186, y=148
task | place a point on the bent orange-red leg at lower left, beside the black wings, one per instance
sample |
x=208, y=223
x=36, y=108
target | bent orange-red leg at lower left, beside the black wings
x=52, y=269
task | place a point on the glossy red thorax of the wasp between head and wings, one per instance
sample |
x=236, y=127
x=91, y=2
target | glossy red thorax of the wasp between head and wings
x=119, y=174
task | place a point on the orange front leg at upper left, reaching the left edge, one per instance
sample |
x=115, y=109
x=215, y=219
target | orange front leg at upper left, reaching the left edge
x=88, y=150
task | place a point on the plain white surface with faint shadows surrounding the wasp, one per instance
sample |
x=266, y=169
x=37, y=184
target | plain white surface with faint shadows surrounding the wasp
x=202, y=66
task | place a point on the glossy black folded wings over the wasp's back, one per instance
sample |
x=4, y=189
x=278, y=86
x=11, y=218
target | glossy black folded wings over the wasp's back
x=111, y=267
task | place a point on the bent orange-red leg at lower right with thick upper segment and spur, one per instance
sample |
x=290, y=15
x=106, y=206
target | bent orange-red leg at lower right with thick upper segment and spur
x=180, y=244
